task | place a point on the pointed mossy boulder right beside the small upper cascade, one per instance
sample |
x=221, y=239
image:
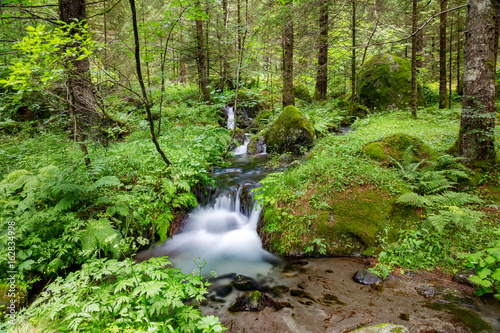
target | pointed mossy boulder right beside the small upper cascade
x=291, y=131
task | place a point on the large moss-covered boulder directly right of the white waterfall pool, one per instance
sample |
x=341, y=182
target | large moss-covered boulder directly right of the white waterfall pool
x=337, y=223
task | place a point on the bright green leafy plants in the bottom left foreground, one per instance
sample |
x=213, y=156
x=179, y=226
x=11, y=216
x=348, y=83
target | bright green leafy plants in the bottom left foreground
x=122, y=296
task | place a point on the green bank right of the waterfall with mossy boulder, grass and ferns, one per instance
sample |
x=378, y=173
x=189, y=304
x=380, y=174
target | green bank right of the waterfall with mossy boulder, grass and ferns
x=436, y=226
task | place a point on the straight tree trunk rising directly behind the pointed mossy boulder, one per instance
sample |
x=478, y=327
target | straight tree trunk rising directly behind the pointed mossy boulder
x=288, y=93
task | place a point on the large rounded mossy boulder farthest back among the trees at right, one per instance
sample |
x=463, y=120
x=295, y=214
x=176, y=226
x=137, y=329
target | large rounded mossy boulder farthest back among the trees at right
x=384, y=83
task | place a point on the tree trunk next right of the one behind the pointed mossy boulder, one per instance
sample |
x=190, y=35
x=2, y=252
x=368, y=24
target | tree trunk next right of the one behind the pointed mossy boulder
x=322, y=76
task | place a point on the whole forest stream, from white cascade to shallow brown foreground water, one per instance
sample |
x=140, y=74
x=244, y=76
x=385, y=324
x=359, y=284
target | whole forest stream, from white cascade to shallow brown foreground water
x=303, y=294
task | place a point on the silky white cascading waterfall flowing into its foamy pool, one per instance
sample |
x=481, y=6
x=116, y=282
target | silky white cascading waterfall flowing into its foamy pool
x=223, y=231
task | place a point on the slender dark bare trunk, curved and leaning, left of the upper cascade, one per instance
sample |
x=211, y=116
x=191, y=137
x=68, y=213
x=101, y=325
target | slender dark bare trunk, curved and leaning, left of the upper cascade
x=141, y=83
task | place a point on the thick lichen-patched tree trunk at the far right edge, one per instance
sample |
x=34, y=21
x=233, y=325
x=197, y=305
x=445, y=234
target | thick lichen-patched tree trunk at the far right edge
x=477, y=125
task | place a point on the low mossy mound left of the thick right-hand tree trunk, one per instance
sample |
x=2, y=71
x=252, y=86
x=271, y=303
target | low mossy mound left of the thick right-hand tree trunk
x=399, y=147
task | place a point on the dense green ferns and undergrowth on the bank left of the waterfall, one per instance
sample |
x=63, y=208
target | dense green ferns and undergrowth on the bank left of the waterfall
x=64, y=213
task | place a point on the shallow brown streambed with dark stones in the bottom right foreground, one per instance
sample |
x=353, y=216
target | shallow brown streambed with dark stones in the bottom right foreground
x=320, y=295
